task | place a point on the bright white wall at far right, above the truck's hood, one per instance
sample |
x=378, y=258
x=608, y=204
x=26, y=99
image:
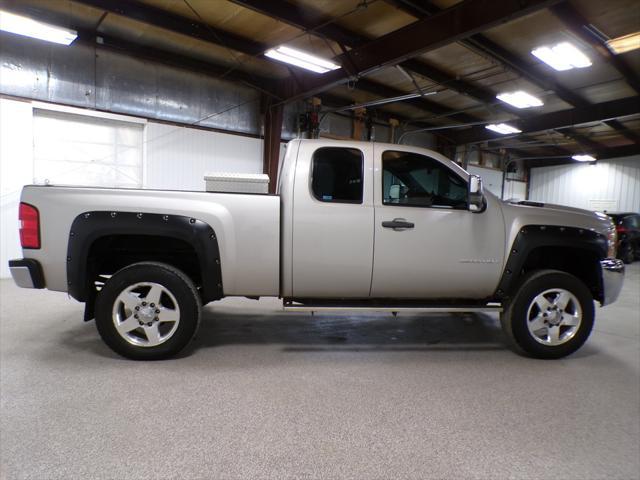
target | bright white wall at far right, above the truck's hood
x=612, y=184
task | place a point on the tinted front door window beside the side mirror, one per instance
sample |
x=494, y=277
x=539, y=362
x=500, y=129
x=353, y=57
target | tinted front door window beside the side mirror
x=410, y=179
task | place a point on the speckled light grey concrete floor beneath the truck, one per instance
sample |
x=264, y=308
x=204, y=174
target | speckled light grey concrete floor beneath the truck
x=264, y=394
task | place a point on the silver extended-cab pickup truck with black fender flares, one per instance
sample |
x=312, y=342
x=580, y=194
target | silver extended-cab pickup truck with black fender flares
x=364, y=226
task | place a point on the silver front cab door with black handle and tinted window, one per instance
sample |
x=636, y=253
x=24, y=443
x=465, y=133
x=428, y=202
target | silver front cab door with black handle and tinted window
x=427, y=243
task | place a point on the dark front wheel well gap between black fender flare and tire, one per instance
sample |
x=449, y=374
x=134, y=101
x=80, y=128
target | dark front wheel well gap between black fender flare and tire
x=581, y=263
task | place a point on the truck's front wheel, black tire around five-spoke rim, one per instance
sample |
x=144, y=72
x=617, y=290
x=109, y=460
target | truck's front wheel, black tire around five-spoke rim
x=518, y=315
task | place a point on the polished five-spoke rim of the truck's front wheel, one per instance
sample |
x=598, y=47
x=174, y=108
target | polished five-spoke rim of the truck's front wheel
x=554, y=317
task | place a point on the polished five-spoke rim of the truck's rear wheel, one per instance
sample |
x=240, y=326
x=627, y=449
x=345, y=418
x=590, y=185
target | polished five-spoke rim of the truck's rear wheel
x=146, y=314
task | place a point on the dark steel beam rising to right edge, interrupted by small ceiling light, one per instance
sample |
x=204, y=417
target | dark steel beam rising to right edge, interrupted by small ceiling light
x=556, y=120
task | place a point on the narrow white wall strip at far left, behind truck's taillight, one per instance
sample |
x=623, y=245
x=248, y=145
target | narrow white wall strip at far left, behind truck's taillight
x=16, y=170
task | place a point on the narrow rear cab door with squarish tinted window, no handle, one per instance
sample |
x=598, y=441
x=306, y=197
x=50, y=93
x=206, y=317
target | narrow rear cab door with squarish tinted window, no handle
x=332, y=228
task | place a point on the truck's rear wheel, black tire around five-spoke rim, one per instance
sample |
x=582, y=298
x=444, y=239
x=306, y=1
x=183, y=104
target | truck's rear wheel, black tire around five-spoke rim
x=178, y=292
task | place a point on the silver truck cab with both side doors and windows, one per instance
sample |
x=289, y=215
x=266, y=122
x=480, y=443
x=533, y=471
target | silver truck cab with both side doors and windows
x=352, y=211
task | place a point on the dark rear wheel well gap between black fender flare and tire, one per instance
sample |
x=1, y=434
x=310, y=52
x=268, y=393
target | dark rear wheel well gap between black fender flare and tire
x=110, y=253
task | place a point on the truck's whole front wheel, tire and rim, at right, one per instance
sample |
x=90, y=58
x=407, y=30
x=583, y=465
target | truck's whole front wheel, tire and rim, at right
x=551, y=315
